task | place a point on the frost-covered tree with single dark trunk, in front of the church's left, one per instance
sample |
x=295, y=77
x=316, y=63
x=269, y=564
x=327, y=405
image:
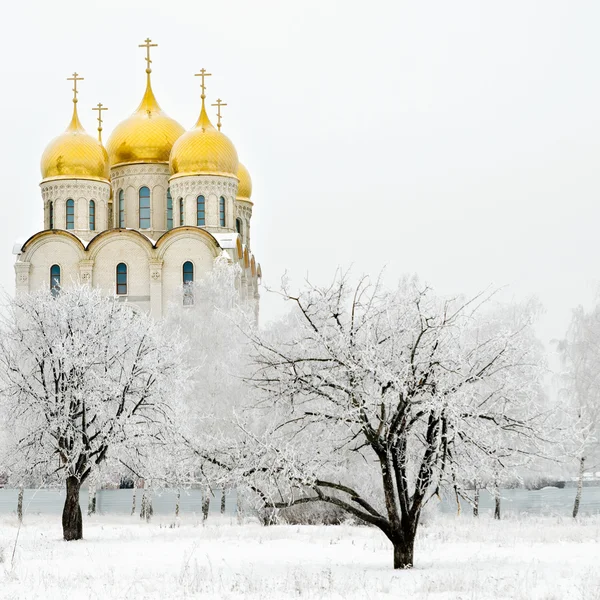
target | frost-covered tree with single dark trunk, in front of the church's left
x=83, y=377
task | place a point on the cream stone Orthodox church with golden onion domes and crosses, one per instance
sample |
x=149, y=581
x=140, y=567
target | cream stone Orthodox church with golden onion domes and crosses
x=144, y=215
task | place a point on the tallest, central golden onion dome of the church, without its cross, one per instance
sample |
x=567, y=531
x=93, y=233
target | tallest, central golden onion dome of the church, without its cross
x=147, y=136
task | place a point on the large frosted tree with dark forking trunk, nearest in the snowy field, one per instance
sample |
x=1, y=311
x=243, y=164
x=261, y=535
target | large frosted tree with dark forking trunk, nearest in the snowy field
x=373, y=400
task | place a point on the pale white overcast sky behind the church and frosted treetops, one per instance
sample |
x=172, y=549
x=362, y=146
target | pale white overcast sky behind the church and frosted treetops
x=457, y=140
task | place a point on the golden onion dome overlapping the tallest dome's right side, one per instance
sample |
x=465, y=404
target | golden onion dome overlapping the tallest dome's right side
x=204, y=151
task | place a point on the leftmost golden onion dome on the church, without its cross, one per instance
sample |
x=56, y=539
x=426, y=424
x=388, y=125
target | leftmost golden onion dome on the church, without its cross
x=74, y=155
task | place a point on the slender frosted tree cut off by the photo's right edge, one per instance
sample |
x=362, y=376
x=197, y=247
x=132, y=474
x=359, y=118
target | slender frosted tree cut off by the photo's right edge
x=580, y=356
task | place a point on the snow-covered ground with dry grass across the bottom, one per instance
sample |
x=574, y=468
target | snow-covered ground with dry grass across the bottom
x=456, y=558
